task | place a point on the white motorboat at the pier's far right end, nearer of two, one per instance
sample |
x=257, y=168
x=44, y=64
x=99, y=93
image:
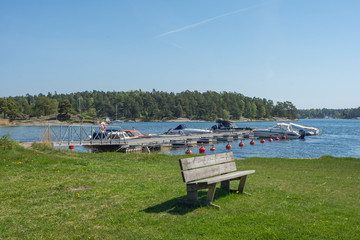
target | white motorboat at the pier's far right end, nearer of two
x=279, y=130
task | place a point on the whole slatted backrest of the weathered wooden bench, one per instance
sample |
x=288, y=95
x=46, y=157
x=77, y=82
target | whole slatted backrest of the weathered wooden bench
x=196, y=168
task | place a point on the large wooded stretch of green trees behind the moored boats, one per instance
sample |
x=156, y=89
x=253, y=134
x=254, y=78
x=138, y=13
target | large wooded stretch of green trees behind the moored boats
x=147, y=106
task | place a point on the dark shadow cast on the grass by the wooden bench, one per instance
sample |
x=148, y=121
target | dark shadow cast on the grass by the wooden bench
x=174, y=207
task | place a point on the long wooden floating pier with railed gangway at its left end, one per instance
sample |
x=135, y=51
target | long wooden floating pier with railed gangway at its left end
x=81, y=135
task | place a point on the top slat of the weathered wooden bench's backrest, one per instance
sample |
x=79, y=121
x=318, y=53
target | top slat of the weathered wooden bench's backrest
x=202, y=161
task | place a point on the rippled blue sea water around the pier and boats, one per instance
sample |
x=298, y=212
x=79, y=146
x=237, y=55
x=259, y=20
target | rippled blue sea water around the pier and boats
x=339, y=138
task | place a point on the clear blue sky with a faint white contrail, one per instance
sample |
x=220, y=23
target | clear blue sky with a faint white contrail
x=306, y=52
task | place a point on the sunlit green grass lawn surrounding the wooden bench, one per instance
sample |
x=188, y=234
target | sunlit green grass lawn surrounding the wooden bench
x=51, y=194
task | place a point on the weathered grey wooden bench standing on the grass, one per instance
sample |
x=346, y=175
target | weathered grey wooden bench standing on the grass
x=206, y=171
